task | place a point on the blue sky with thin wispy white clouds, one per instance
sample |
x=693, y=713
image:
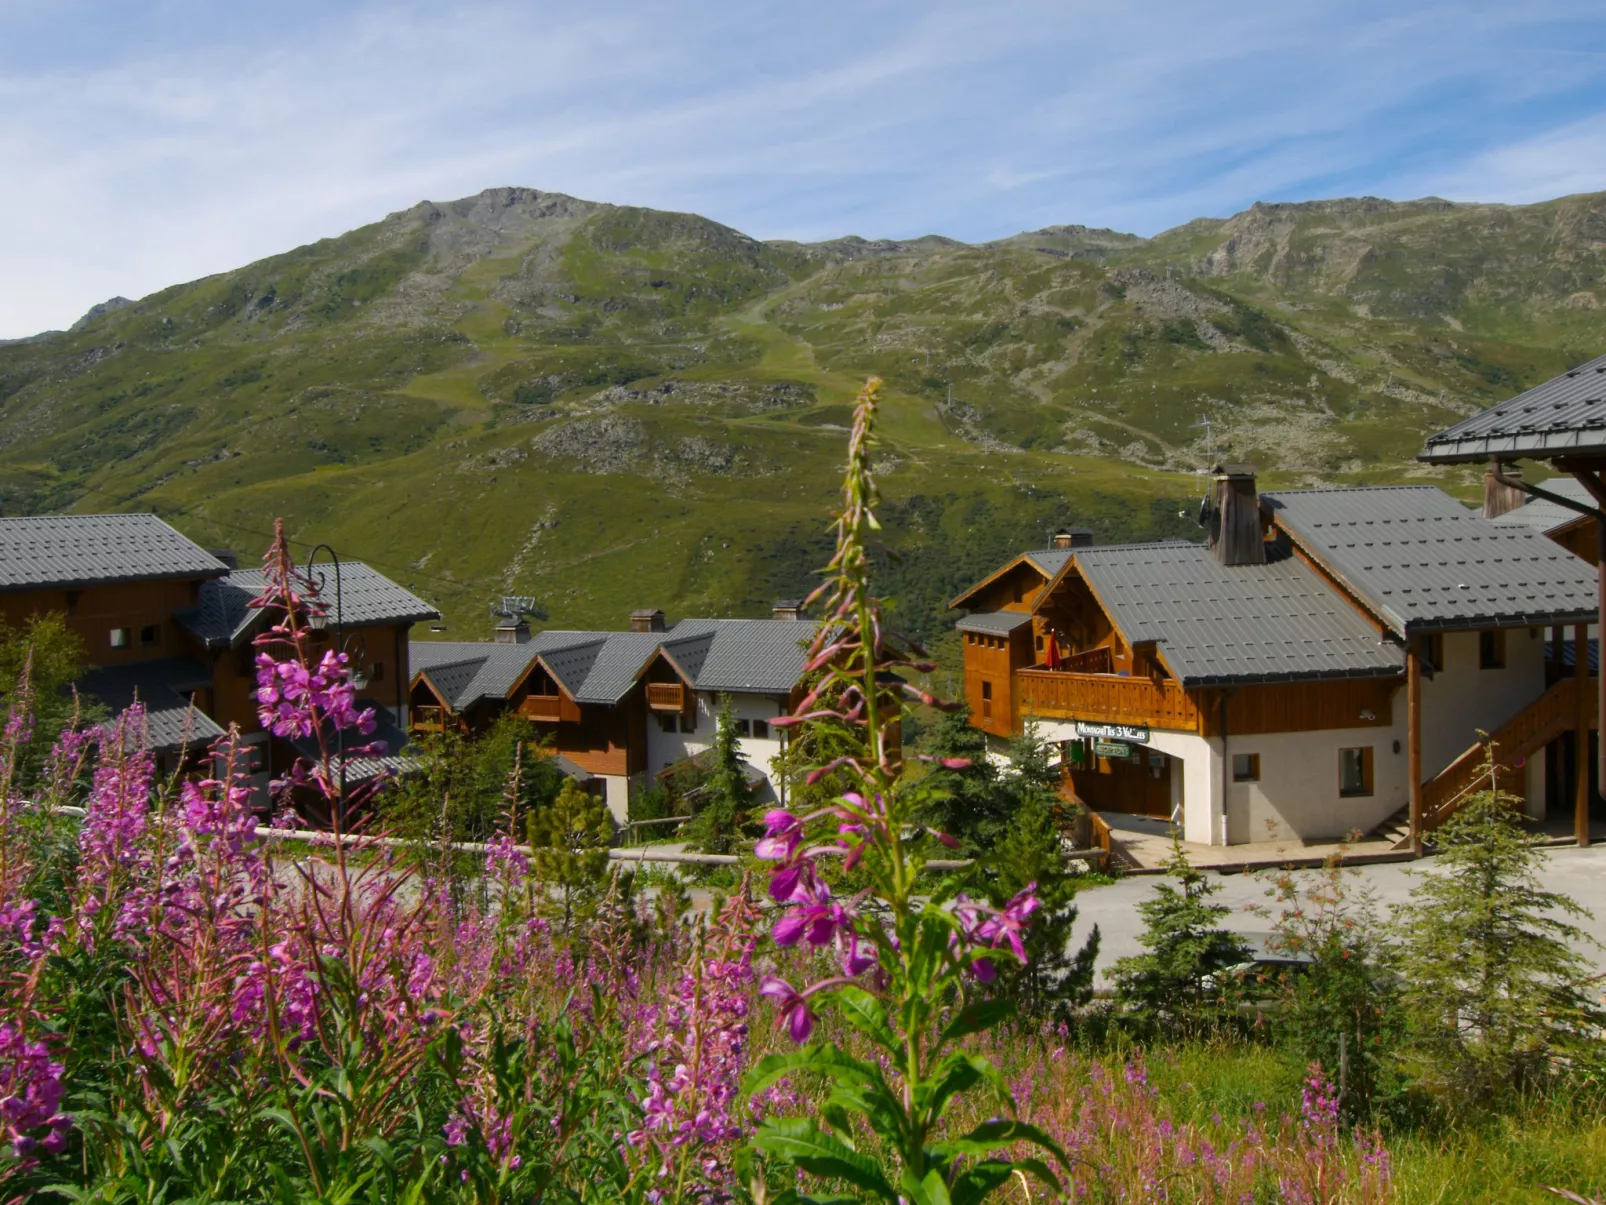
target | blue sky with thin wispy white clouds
x=152, y=144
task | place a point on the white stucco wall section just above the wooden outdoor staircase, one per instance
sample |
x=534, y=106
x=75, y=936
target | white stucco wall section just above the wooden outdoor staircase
x=1464, y=698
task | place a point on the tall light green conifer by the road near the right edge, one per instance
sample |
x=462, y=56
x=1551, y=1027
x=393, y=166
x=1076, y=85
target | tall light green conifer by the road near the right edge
x=1494, y=989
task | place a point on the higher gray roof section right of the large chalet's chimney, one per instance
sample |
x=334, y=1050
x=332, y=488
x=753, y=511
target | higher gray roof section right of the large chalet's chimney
x=1422, y=562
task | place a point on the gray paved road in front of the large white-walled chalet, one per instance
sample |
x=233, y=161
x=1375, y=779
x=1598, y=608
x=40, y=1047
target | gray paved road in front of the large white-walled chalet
x=1114, y=909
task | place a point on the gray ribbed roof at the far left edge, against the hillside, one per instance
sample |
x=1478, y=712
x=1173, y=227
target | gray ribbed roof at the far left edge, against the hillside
x=86, y=550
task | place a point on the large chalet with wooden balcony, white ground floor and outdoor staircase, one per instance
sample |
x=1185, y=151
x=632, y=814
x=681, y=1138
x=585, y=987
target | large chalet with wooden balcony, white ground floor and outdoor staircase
x=1258, y=685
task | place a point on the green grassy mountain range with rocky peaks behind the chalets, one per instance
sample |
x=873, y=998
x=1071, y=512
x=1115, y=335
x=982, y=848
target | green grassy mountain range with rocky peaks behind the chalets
x=609, y=407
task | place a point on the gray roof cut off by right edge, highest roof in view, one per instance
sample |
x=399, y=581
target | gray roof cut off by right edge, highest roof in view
x=1563, y=417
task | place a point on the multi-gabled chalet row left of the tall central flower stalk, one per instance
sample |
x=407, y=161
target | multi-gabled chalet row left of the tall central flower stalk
x=622, y=706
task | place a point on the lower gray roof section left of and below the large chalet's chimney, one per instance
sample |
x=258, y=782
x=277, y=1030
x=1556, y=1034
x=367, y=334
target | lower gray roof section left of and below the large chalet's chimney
x=1218, y=626
